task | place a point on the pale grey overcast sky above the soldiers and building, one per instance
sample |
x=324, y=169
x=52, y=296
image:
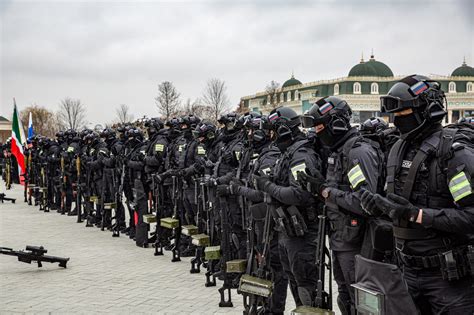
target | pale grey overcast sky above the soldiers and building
x=106, y=53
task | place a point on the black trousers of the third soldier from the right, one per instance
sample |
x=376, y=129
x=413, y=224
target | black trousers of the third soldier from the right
x=298, y=256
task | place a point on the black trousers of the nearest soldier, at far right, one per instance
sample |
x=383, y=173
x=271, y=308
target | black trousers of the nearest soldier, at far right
x=433, y=295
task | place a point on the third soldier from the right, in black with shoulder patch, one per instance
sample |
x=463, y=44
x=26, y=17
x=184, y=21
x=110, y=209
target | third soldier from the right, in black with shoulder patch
x=296, y=209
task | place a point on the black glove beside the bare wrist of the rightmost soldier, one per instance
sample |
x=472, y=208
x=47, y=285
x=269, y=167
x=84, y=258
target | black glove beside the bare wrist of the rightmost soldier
x=396, y=207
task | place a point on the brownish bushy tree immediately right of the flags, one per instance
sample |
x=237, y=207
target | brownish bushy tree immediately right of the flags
x=44, y=121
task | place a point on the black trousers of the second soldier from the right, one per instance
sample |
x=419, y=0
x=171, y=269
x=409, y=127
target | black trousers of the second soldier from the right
x=343, y=266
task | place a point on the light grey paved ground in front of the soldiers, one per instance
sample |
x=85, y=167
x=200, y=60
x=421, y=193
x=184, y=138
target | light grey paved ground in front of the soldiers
x=104, y=274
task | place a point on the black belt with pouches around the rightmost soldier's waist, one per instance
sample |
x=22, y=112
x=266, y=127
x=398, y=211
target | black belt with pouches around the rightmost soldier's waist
x=454, y=264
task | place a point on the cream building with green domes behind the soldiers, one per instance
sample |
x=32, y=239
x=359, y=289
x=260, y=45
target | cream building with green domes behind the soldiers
x=362, y=88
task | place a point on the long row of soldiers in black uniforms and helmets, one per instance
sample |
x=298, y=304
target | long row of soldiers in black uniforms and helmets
x=253, y=199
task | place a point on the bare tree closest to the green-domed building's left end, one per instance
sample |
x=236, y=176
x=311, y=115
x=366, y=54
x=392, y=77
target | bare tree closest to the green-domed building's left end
x=215, y=97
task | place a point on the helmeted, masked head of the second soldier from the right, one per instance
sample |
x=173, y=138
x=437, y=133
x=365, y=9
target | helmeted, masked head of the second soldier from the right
x=333, y=114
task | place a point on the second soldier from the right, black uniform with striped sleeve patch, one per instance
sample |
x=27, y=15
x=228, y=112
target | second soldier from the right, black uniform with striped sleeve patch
x=354, y=163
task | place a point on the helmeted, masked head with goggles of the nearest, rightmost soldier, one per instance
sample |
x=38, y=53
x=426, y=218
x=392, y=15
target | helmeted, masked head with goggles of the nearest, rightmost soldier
x=423, y=97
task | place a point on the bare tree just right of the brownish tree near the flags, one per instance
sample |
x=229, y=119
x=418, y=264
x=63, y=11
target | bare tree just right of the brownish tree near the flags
x=71, y=114
